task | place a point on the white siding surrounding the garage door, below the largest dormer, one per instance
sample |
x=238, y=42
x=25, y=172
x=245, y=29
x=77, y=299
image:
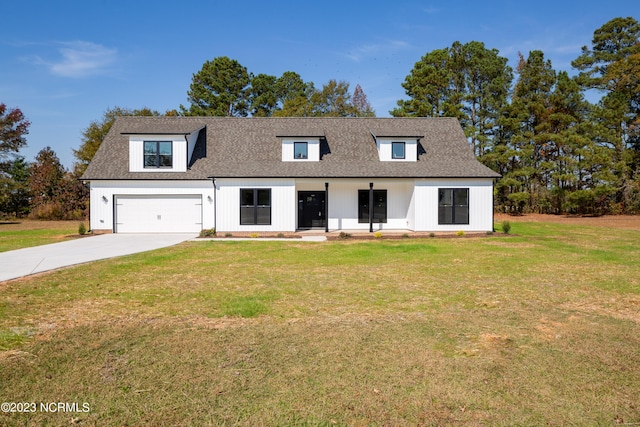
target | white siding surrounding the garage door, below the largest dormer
x=103, y=193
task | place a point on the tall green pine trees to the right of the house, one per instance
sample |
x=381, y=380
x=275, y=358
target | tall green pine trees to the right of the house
x=556, y=151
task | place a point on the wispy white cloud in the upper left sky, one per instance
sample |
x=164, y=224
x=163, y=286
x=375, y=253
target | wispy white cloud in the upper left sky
x=81, y=59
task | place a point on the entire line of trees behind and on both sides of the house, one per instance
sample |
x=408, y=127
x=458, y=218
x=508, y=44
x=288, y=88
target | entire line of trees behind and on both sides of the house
x=556, y=151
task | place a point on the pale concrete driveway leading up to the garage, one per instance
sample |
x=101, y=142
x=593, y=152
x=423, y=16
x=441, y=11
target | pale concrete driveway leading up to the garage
x=23, y=262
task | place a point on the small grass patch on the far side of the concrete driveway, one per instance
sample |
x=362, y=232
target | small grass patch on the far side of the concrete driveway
x=27, y=233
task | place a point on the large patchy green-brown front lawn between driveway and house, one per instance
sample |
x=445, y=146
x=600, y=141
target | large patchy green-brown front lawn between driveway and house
x=541, y=327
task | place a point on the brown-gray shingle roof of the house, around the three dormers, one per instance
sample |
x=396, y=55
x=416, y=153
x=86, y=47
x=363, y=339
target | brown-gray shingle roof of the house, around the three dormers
x=251, y=147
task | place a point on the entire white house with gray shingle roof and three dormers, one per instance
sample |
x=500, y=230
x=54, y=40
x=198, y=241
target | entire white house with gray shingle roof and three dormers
x=186, y=174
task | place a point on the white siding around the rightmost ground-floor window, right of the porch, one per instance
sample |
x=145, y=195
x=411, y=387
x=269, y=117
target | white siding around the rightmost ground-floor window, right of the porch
x=480, y=204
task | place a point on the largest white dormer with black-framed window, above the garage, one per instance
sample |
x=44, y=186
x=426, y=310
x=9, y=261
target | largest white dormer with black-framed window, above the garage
x=161, y=152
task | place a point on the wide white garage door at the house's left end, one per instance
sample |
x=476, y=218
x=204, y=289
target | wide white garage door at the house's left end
x=158, y=214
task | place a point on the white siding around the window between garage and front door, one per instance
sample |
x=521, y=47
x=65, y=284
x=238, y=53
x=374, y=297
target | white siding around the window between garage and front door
x=283, y=204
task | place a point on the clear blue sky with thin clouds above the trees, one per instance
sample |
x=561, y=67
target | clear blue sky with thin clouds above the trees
x=63, y=63
